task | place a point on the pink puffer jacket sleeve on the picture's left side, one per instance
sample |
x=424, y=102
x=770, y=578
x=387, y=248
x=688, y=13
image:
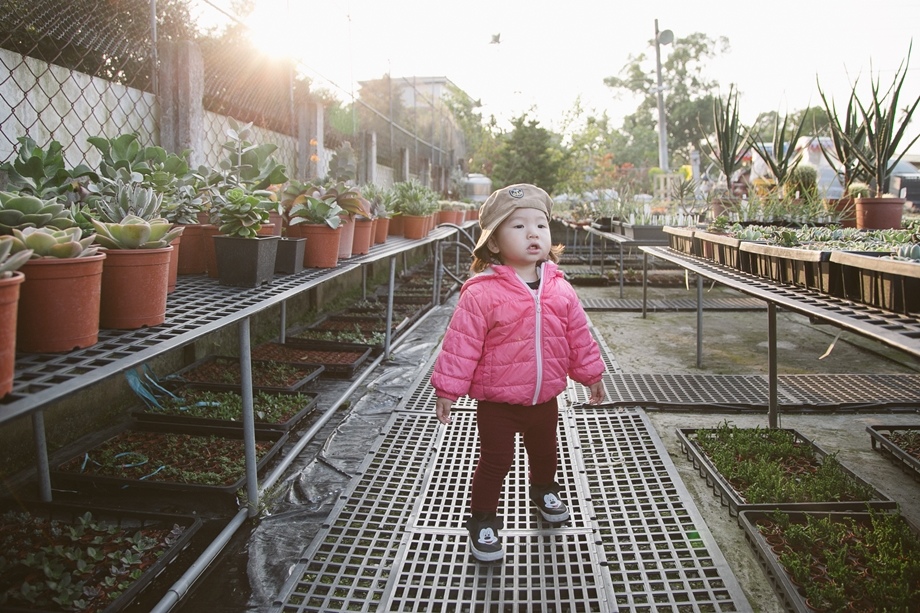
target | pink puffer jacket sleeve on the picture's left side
x=461, y=349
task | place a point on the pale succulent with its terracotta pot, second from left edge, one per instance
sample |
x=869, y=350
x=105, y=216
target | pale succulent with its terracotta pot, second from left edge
x=60, y=299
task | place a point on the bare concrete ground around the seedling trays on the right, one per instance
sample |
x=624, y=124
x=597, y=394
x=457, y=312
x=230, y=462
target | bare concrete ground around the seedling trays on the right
x=735, y=342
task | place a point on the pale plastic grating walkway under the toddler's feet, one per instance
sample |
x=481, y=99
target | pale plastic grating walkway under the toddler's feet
x=395, y=539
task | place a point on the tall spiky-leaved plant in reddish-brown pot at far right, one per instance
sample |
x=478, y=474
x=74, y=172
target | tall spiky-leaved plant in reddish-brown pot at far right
x=884, y=119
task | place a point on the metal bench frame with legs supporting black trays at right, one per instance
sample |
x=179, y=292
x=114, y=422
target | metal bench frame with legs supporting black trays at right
x=895, y=330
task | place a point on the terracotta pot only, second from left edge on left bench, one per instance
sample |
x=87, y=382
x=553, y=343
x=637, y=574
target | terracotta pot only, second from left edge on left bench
x=59, y=304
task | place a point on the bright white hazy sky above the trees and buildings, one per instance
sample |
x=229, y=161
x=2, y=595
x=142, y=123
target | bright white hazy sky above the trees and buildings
x=554, y=52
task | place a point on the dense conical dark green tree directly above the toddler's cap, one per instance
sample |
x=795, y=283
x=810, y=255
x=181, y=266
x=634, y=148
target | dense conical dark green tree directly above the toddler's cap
x=528, y=154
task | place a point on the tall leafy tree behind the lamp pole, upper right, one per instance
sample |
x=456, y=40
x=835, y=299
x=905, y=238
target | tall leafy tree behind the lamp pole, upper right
x=688, y=101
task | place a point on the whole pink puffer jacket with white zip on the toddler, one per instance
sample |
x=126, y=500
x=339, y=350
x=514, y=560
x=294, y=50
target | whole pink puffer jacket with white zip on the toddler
x=505, y=344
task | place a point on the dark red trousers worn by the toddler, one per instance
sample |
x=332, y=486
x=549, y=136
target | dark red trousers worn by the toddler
x=498, y=423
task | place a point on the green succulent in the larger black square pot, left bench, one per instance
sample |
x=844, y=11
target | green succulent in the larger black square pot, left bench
x=245, y=258
